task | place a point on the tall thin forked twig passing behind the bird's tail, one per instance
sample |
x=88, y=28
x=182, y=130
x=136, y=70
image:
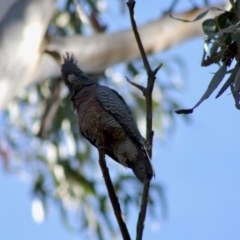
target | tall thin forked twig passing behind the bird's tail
x=149, y=131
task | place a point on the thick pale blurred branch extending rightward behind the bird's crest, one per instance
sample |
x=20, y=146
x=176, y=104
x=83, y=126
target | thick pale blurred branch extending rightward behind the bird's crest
x=112, y=48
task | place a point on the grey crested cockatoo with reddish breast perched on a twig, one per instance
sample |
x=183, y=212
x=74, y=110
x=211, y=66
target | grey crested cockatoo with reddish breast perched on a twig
x=101, y=110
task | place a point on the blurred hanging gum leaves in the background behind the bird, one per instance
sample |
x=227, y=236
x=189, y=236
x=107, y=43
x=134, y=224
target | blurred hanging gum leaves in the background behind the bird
x=40, y=138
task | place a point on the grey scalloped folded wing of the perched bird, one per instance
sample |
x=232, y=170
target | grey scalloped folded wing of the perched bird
x=113, y=103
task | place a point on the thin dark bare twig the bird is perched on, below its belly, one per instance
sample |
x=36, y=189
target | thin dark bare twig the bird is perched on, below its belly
x=111, y=191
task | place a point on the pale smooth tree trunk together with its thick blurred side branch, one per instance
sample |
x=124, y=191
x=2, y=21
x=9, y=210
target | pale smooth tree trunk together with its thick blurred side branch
x=22, y=61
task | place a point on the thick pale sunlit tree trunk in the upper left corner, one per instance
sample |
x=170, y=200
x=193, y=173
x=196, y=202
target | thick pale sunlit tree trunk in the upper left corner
x=22, y=29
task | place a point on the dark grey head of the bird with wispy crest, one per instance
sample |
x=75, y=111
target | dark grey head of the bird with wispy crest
x=73, y=76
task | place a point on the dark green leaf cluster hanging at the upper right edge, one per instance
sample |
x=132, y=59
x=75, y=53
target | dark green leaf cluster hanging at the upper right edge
x=222, y=47
